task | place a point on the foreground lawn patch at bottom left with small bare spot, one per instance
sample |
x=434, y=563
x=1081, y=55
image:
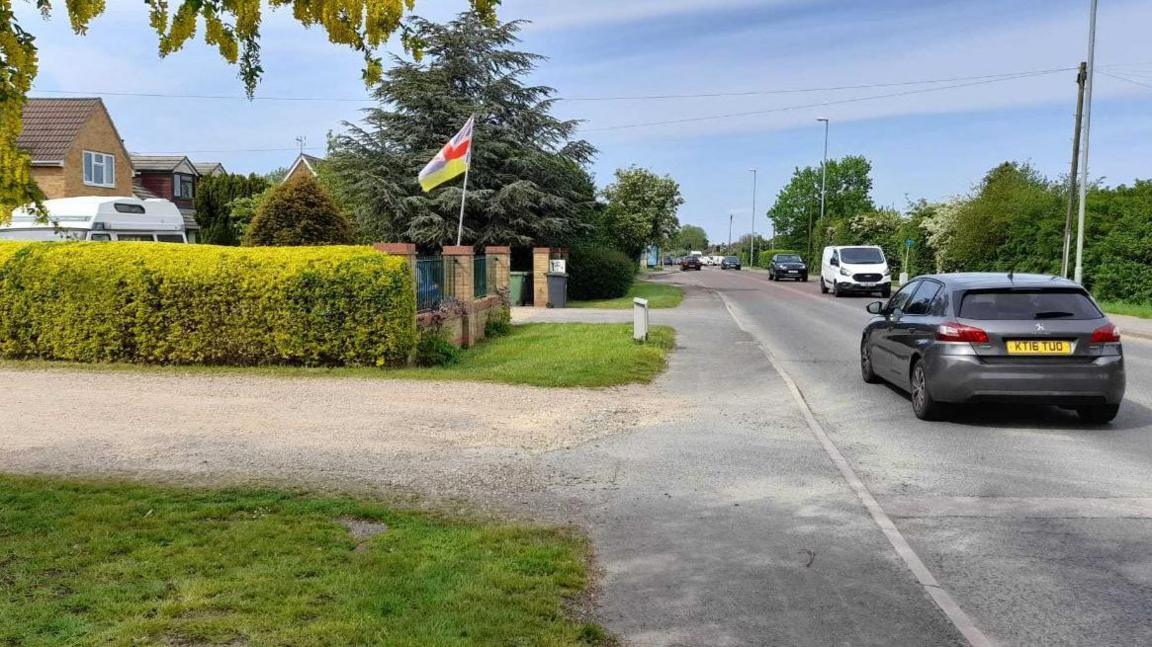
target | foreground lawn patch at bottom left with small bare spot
x=130, y=565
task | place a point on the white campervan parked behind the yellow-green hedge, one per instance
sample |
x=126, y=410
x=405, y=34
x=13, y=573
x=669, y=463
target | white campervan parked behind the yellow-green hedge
x=100, y=219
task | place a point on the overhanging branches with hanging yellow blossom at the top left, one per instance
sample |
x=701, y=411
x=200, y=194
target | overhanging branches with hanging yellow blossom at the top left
x=233, y=27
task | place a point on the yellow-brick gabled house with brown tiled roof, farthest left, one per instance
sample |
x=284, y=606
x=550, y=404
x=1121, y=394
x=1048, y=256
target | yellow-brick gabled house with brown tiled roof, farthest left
x=75, y=149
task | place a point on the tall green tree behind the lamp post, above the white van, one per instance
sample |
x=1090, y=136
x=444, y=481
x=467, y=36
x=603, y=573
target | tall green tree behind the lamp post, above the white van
x=798, y=205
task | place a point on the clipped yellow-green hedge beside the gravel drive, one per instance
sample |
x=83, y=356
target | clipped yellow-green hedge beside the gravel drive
x=201, y=305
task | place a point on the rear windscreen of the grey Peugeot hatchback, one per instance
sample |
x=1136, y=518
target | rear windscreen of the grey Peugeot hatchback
x=1028, y=306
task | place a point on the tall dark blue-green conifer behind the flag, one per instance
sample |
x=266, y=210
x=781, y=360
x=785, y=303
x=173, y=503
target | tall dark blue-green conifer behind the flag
x=528, y=182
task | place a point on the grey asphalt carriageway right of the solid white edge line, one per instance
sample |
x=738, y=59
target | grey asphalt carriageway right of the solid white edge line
x=1037, y=526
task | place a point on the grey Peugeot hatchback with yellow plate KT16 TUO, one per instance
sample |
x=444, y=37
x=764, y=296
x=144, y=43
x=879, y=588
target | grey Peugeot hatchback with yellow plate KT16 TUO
x=951, y=339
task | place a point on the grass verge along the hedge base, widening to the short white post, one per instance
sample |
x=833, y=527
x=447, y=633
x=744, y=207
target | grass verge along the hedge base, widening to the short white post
x=543, y=355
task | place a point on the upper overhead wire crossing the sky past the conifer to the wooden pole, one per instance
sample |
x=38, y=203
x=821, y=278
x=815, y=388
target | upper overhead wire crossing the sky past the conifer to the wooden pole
x=610, y=98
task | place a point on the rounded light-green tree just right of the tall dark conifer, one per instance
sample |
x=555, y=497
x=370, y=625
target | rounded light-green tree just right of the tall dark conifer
x=641, y=211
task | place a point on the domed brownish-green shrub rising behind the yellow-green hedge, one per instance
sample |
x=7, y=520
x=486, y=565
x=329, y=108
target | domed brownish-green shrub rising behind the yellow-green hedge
x=299, y=212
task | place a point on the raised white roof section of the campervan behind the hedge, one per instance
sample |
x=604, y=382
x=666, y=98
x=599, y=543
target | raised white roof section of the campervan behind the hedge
x=124, y=215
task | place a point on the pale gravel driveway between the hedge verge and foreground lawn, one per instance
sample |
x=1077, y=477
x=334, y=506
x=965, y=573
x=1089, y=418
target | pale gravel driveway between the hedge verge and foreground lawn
x=457, y=439
